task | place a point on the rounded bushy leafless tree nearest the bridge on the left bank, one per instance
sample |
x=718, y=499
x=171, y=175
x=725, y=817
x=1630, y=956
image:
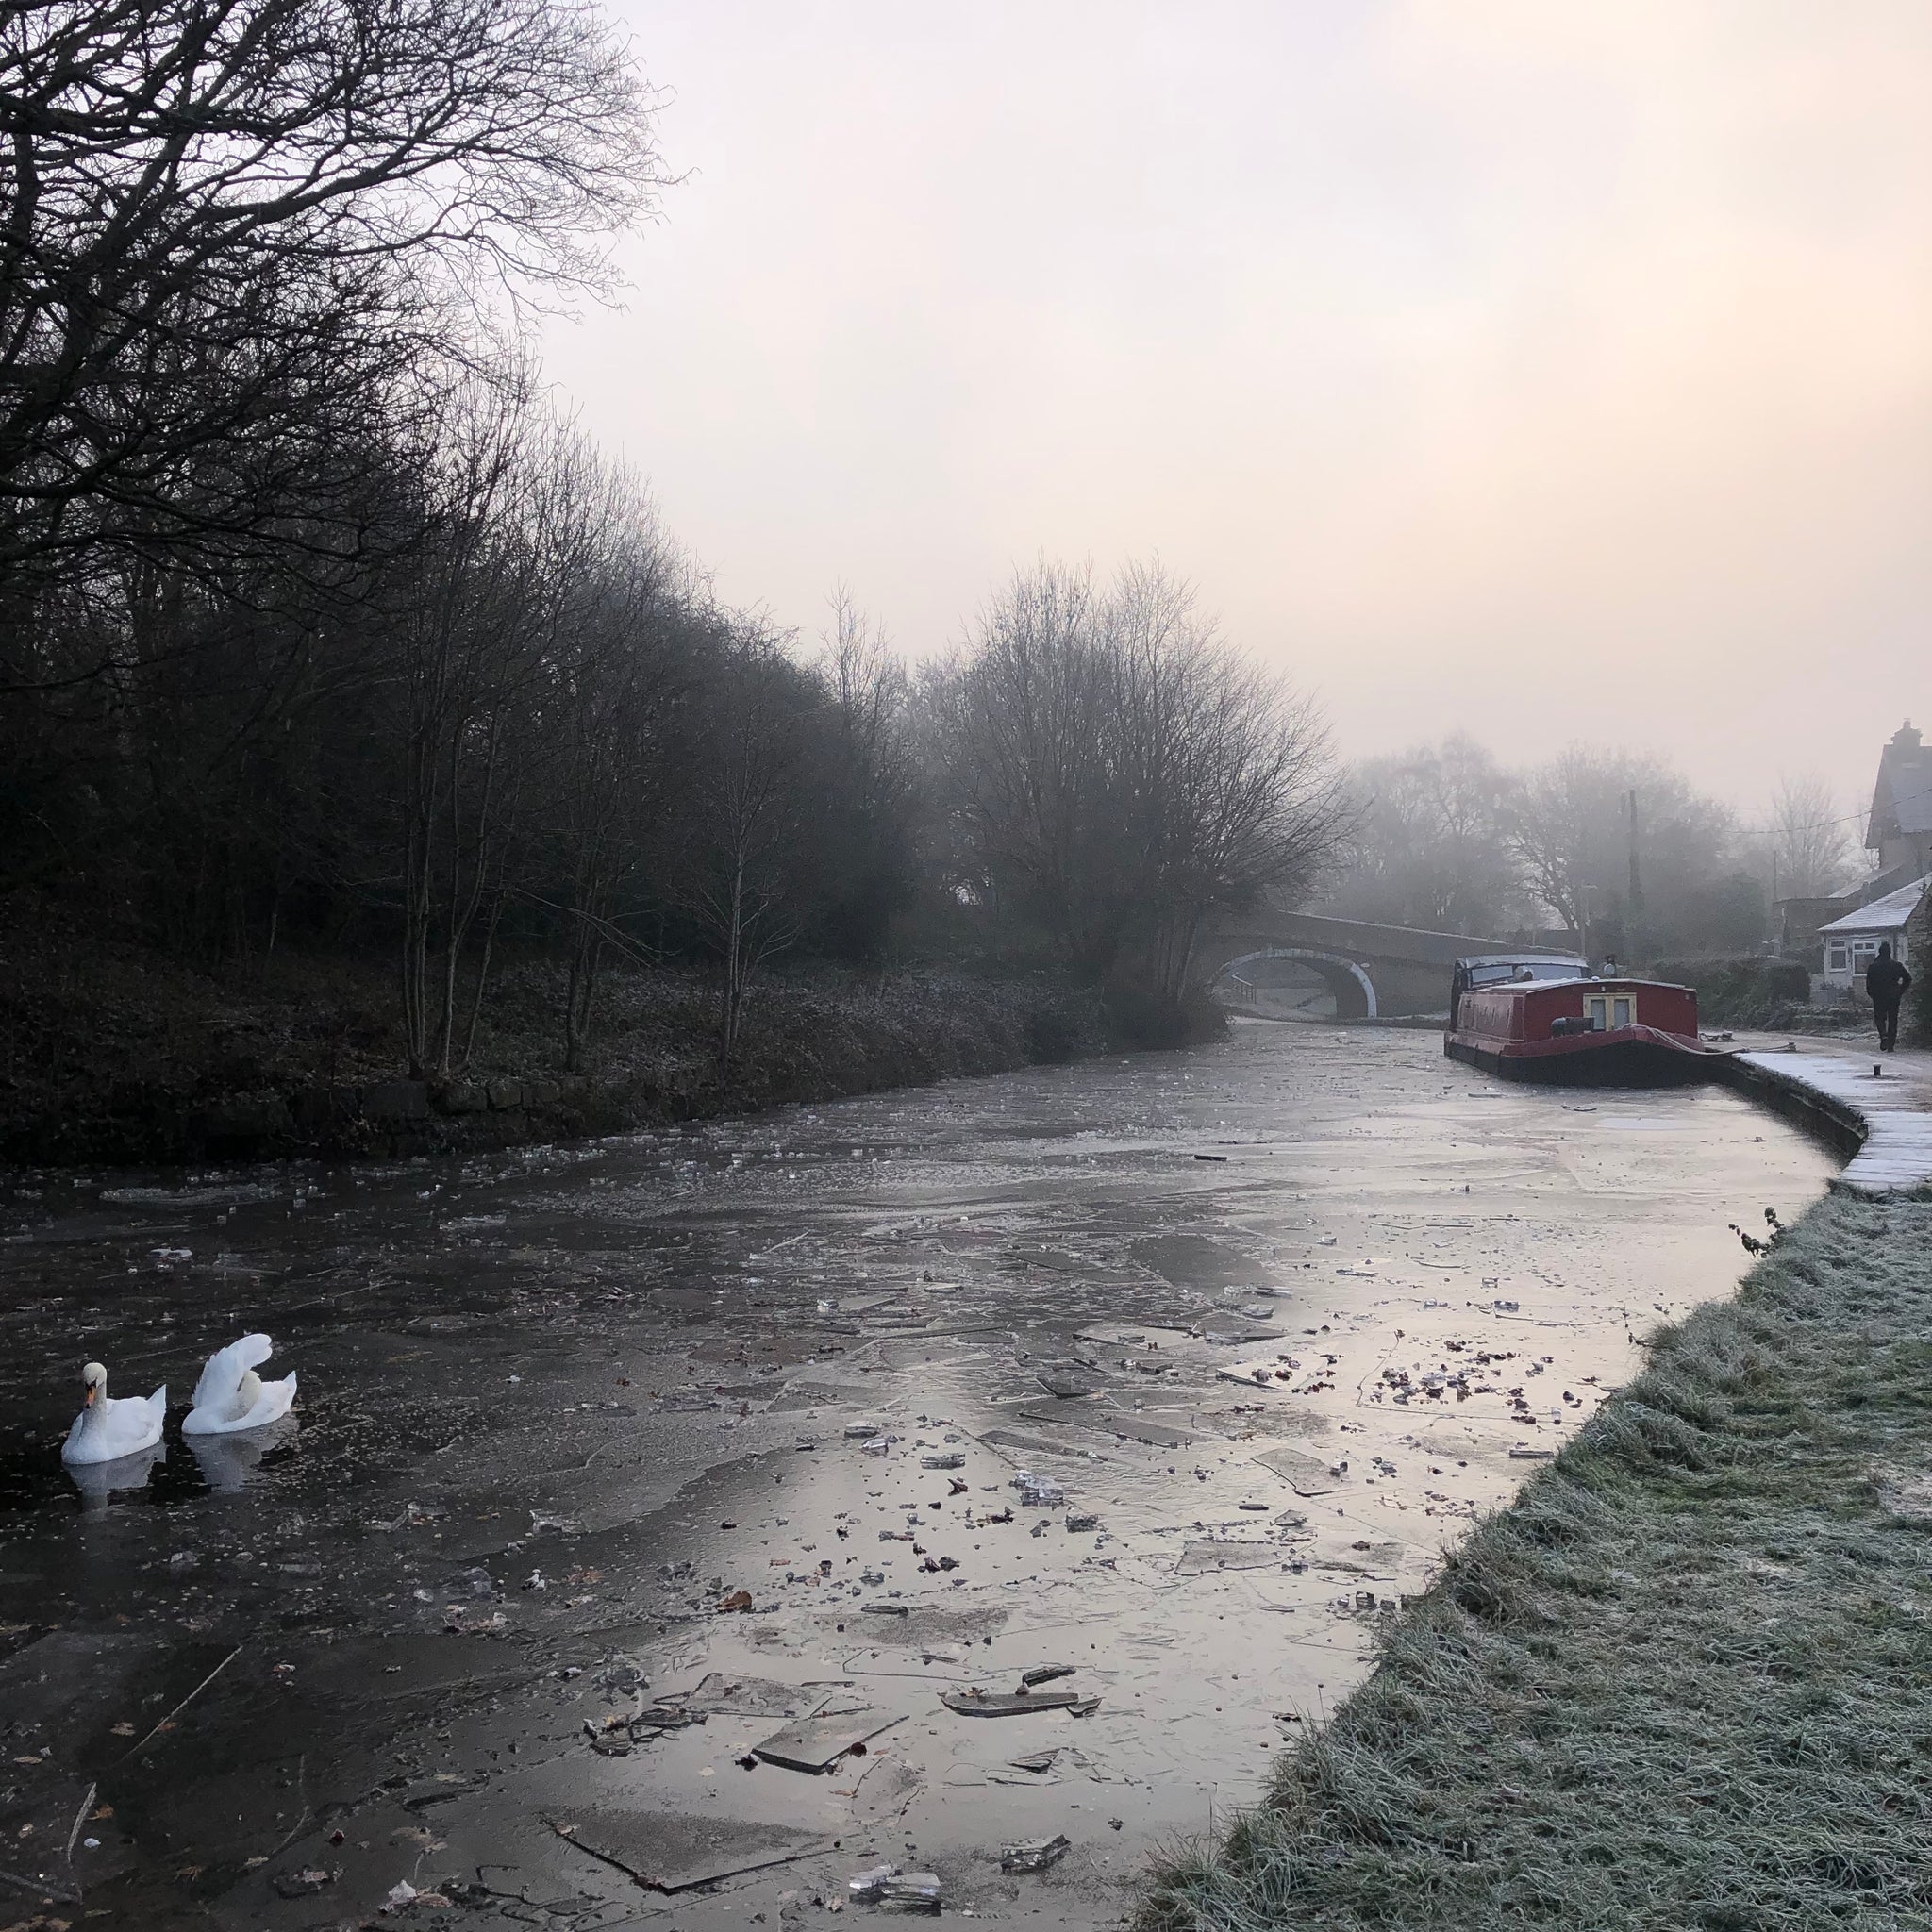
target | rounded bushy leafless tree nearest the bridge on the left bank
x=1122, y=770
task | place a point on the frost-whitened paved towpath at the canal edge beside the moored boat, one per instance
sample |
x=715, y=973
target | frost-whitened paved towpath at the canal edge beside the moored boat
x=1885, y=1100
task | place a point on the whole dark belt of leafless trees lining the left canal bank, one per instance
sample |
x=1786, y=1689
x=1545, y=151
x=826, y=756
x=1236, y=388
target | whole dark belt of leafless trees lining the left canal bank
x=322, y=629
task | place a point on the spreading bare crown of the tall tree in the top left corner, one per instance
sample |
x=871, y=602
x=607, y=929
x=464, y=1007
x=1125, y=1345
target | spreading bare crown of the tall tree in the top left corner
x=229, y=229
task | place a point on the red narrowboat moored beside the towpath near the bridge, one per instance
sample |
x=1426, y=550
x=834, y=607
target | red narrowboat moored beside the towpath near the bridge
x=1581, y=1033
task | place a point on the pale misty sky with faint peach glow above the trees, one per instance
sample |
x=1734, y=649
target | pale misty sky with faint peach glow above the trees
x=1535, y=368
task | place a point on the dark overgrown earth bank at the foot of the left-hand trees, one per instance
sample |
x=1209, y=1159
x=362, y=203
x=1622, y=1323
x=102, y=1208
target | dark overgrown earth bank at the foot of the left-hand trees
x=115, y=1054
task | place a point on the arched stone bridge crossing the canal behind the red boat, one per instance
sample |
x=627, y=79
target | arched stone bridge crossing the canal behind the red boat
x=1373, y=971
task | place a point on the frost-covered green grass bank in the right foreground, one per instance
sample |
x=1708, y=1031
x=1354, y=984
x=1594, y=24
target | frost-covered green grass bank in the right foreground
x=1686, y=1682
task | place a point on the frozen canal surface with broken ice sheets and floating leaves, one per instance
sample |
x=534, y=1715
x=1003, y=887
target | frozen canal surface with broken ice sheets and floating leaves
x=575, y=1510
